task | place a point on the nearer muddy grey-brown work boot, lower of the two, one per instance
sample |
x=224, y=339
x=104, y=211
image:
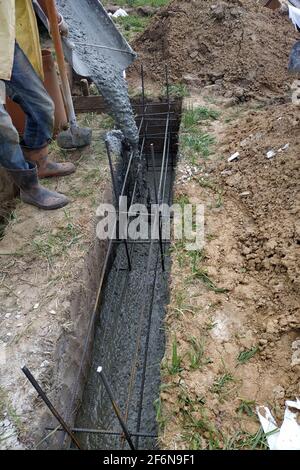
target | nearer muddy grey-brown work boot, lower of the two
x=33, y=193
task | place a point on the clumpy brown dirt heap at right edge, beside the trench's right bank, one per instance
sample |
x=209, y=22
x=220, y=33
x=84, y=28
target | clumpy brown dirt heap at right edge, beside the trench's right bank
x=269, y=188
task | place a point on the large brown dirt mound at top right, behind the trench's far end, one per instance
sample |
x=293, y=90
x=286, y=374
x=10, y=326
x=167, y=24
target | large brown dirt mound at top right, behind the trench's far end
x=241, y=47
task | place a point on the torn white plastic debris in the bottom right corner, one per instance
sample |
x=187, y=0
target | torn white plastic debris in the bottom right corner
x=288, y=436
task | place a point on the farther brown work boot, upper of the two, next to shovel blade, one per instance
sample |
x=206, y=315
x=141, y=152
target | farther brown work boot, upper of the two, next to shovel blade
x=47, y=169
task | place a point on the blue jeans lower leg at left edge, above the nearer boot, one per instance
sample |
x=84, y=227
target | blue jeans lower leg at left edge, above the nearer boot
x=11, y=155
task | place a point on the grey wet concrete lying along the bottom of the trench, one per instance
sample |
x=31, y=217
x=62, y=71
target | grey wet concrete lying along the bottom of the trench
x=133, y=305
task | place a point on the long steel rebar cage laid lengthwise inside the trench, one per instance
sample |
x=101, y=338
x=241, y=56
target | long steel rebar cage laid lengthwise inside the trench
x=166, y=136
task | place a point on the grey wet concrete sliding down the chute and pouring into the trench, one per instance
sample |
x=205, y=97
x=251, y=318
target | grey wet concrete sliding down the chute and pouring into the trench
x=88, y=24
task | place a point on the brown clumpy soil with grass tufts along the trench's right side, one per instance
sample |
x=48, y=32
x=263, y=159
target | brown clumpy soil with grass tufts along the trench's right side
x=252, y=251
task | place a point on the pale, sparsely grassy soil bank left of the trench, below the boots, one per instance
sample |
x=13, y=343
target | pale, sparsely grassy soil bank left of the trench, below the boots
x=50, y=266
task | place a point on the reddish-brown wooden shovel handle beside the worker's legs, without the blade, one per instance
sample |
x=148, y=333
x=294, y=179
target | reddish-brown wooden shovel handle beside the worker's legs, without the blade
x=52, y=16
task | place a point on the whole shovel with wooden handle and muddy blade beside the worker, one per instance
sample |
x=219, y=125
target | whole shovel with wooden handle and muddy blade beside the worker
x=75, y=137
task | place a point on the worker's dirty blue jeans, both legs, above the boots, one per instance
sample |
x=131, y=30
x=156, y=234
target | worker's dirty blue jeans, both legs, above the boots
x=27, y=89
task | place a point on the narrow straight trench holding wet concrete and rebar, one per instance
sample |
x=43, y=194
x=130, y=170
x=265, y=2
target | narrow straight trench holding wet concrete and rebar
x=129, y=340
